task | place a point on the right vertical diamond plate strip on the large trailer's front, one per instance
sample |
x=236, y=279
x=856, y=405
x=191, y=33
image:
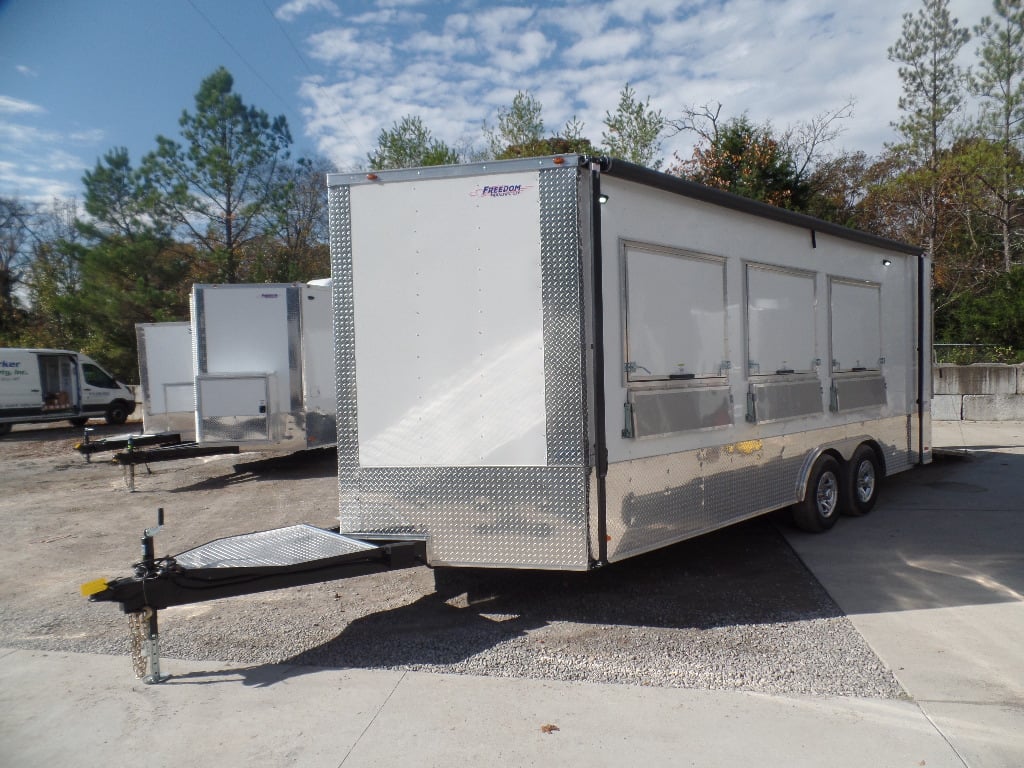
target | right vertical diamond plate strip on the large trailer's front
x=562, y=269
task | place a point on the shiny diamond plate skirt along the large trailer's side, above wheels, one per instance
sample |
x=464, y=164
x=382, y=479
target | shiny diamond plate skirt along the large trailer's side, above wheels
x=656, y=502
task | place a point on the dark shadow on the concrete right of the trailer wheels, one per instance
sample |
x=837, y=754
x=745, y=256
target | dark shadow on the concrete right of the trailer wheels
x=950, y=534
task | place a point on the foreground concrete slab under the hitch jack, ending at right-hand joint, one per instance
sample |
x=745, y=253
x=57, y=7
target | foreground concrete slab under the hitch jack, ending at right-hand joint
x=88, y=711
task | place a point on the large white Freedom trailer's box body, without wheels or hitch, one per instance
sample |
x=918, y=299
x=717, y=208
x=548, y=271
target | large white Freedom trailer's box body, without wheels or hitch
x=531, y=377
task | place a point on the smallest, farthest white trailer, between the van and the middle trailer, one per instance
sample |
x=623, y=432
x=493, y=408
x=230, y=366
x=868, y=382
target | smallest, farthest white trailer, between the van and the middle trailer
x=165, y=367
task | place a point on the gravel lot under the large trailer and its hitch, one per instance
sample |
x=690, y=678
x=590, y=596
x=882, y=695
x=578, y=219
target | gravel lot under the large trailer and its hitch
x=735, y=610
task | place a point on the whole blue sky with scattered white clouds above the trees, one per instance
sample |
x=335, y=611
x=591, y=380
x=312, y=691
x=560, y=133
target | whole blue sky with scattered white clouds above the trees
x=81, y=77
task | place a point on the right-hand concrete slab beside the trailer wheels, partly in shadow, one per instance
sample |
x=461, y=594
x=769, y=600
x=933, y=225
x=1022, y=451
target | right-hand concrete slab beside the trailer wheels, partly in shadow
x=934, y=582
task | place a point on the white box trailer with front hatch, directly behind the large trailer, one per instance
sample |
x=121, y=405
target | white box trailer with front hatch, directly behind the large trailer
x=264, y=363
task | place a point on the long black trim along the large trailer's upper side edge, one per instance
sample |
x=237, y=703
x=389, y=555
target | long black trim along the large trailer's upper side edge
x=642, y=176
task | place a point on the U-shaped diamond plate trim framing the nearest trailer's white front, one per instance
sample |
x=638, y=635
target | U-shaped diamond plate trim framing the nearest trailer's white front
x=494, y=517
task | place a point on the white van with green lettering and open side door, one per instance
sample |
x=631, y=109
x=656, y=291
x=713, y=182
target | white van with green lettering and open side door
x=45, y=386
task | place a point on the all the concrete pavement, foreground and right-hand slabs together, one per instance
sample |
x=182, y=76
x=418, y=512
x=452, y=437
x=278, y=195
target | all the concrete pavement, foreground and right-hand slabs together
x=933, y=580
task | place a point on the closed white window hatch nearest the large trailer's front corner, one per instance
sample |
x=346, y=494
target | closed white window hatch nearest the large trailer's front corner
x=675, y=309
